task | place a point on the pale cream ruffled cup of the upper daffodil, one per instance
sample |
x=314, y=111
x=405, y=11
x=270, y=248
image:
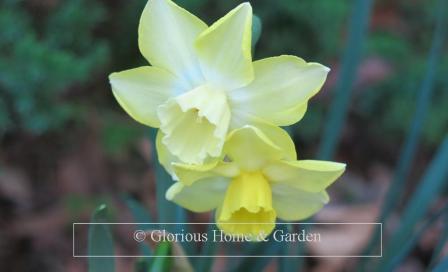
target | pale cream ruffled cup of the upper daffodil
x=195, y=124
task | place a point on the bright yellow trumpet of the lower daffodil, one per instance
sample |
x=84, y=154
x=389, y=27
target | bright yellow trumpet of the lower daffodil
x=247, y=206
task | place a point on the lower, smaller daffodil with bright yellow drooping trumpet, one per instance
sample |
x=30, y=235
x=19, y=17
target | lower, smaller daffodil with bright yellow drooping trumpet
x=256, y=182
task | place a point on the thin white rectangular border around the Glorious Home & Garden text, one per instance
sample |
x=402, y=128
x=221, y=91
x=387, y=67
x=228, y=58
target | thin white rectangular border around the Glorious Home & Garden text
x=231, y=256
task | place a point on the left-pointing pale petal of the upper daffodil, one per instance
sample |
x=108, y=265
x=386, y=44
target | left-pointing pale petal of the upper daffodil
x=141, y=90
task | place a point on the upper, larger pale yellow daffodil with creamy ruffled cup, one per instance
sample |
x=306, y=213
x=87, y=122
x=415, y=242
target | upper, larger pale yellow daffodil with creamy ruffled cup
x=203, y=83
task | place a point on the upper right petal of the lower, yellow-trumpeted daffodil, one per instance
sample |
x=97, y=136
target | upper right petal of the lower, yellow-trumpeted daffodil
x=306, y=175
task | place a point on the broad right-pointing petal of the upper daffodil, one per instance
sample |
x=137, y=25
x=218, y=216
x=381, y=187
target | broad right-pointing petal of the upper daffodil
x=280, y=86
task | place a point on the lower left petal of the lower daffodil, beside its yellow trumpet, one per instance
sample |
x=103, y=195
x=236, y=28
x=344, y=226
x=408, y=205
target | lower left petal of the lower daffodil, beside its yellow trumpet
x=202, y=196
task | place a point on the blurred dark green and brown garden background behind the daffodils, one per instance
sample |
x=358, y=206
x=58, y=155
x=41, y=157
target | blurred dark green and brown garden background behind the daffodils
x=66, y=146
